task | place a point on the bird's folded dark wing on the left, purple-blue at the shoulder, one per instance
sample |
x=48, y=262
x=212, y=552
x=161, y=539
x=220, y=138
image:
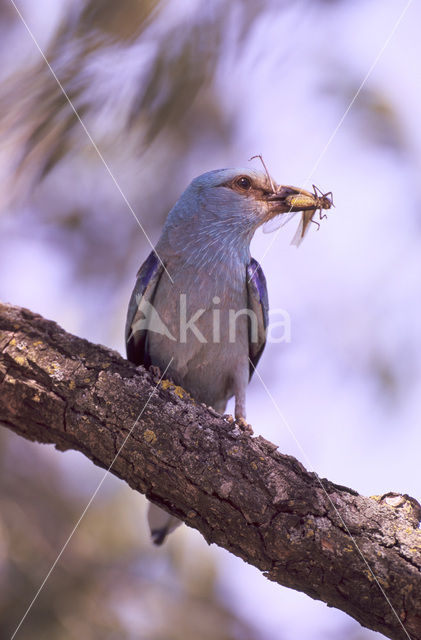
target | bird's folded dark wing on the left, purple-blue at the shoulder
x=138, y=313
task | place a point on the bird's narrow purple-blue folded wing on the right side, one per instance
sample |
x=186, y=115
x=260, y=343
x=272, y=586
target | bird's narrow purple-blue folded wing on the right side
x=259, y=304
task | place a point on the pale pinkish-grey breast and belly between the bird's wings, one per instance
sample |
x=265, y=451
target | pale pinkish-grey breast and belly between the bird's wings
x=206, y=332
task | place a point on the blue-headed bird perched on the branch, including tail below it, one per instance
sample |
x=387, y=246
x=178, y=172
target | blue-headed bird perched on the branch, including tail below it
x=199, y=308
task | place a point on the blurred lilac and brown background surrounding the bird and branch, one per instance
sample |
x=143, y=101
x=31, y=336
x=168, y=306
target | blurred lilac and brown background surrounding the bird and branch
x=169, y=89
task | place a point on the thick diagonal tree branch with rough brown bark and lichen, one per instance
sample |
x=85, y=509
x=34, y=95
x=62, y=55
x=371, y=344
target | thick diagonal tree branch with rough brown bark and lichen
x=236, y=489
